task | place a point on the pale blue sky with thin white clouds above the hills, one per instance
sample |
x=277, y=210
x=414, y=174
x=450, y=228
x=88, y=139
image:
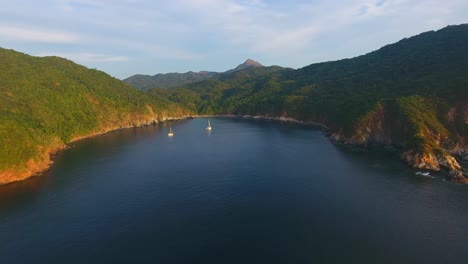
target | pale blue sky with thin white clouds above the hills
x=127, y=37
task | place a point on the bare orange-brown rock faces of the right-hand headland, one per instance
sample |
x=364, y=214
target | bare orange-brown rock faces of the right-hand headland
x=434, y=152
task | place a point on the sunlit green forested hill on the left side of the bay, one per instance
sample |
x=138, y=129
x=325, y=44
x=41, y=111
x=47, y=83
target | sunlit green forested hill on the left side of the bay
x=47, y=102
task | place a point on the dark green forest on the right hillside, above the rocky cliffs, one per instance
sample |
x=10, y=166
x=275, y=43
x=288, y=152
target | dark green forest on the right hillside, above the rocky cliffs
x=431, y=65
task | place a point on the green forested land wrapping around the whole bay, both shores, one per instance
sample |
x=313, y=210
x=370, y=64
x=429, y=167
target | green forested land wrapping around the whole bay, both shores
x=413, y=93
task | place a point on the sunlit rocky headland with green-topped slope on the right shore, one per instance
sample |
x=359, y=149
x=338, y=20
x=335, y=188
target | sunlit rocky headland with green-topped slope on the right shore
x=427, y=140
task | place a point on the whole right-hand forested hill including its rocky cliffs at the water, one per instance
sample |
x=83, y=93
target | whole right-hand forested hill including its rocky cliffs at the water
x=413, y=94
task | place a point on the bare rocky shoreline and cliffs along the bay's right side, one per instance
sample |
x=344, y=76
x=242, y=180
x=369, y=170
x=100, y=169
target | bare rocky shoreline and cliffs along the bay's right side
x=388, y=126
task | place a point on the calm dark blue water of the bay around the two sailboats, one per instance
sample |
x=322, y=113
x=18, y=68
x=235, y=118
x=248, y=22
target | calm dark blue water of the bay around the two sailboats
x=248, y=192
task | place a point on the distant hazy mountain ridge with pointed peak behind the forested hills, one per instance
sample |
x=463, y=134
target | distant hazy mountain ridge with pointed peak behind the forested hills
x=168, y=80
